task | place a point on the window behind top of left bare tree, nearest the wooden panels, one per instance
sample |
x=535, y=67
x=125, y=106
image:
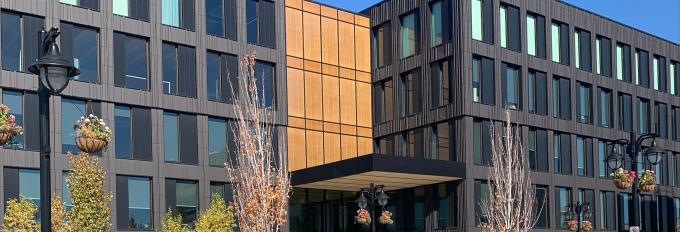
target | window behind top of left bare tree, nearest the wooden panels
x=265, y=74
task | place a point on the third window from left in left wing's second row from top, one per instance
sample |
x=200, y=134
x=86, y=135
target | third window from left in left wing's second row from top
x=136, y=59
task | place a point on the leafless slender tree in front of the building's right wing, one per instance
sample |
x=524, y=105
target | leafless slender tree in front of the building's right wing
x=511, y=206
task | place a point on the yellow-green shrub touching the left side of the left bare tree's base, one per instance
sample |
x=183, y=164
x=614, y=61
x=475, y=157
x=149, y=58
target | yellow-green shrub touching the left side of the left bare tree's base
x=218, y=218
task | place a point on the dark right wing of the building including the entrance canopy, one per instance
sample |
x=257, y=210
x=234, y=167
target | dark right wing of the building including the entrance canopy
x=445, y=70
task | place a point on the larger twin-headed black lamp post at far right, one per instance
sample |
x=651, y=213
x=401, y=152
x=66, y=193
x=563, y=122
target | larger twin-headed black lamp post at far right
x=616, y=161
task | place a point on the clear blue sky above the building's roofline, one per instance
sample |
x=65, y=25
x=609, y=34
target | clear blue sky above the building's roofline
x=658, y=17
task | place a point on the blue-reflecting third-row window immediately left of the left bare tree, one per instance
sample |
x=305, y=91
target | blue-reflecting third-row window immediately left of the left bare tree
x=217, y=141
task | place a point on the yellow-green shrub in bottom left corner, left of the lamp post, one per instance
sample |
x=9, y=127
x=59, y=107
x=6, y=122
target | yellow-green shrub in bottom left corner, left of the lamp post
x=20, y=216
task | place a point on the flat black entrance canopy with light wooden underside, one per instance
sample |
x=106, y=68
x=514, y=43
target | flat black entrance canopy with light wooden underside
x=392, y=171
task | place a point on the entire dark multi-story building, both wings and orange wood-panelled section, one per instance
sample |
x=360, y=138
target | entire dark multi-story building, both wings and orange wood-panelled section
x=401, y=95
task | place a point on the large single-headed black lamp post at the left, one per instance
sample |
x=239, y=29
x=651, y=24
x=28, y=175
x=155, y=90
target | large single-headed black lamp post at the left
x=54, y=72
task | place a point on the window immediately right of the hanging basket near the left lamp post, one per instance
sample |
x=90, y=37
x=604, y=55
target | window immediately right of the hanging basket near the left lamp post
x=123, y=132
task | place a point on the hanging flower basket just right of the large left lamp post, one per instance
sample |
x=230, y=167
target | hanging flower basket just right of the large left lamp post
x=92, y=134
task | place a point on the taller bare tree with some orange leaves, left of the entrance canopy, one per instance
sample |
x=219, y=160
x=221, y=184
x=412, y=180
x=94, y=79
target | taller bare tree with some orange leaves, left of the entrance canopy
x=258, y=171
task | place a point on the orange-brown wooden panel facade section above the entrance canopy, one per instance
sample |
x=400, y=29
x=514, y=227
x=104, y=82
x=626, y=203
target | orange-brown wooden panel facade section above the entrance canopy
x=329, y=90
